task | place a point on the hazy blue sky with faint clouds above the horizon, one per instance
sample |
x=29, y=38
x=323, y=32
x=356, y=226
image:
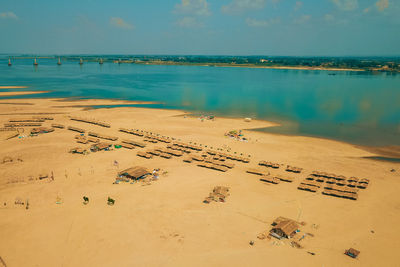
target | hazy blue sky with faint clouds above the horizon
x=202, y=27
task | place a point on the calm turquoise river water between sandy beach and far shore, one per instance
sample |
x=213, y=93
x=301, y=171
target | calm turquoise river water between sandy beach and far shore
x=360, y=108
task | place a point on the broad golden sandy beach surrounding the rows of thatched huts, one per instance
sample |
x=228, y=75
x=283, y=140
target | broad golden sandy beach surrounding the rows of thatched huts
x=165, y=222
